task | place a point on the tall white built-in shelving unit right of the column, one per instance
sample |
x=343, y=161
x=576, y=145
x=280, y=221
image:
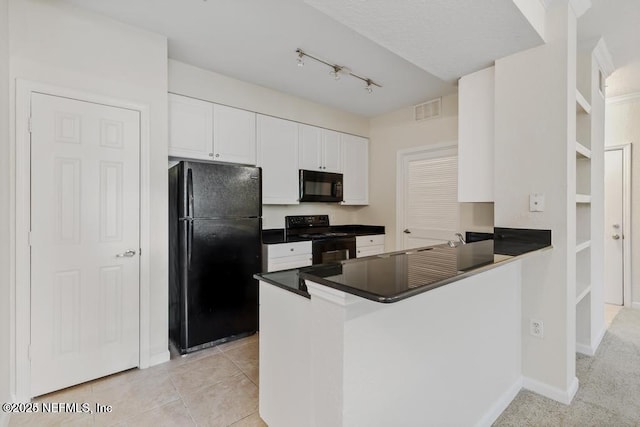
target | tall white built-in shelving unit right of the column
x=589, y=199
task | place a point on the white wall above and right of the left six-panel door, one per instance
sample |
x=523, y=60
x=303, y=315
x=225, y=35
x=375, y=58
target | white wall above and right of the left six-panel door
x=58, y=44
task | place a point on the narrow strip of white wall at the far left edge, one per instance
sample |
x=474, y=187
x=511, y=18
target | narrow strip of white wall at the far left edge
x=4, y=205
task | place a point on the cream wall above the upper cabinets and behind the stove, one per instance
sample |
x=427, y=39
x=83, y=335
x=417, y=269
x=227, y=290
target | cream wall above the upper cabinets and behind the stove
x=191, y=81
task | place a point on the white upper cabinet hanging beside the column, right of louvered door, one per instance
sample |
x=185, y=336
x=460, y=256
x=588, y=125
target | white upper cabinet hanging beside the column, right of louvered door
x=476, y=136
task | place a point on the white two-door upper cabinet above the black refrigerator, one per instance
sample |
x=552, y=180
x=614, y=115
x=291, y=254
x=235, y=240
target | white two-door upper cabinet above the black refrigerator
x=206, y=131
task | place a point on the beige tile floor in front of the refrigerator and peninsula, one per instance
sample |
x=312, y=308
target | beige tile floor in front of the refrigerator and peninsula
x=212, y=387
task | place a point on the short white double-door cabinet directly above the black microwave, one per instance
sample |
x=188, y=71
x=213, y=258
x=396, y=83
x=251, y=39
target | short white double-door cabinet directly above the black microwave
x=320, y=149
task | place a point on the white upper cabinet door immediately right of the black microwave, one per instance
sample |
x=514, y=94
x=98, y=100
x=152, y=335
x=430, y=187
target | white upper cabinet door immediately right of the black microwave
x=355, y=169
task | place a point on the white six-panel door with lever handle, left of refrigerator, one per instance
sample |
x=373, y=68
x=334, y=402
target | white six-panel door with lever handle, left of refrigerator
x=85, y=198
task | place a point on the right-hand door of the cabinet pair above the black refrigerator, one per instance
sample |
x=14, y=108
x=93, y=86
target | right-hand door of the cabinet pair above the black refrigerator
x=234, y=135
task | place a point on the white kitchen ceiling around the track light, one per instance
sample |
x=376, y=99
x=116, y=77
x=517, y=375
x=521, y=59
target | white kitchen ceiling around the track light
x=255, y=41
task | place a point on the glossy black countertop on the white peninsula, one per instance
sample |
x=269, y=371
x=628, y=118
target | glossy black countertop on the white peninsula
x=394, y=276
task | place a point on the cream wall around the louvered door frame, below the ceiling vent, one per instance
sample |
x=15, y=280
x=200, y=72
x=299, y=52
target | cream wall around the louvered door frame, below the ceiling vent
x=397, y=131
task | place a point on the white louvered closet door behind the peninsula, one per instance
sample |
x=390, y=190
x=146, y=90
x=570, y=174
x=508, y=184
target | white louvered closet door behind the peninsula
x=430, y=211
